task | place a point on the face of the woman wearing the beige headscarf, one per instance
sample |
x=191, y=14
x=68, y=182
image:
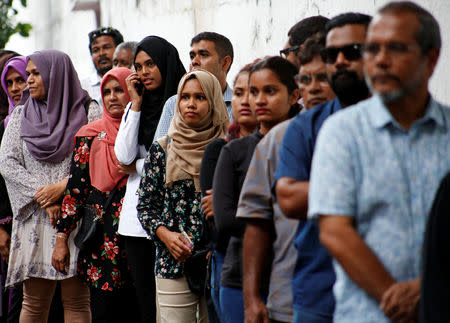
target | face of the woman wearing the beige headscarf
x=193, y=103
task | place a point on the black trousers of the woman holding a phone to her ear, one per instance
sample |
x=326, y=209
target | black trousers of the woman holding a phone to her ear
x=141, y=259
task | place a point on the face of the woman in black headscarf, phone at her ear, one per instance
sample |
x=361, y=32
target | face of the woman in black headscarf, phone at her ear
x=147, y=71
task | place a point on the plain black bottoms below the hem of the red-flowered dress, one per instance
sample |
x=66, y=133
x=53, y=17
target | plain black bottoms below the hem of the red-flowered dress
x=114, y=307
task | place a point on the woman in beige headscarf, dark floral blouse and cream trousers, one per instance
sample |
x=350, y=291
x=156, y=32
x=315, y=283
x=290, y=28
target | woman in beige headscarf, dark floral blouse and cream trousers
x=169, y=205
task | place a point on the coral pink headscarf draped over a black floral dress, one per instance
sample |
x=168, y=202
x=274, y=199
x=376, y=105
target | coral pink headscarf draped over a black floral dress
x=102, y=160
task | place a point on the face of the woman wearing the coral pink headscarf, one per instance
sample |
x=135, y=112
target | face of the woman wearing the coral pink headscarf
x=114, y=97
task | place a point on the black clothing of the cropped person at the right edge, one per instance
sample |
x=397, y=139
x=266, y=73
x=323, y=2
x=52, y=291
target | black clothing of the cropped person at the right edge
x=435, y=287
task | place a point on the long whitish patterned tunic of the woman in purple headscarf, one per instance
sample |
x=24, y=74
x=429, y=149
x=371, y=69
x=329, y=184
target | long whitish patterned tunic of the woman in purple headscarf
x=33, y=236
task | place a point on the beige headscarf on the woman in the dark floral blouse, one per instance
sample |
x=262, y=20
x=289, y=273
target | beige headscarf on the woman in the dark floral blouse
x=186, y=146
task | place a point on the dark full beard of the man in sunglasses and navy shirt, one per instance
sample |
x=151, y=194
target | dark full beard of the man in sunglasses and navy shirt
x=348, y=87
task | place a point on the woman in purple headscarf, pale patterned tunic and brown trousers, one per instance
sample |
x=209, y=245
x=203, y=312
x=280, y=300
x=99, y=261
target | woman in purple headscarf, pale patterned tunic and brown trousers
x=35, y=158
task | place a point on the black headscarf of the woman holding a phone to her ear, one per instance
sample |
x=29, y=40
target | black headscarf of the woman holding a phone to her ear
x=165, y=56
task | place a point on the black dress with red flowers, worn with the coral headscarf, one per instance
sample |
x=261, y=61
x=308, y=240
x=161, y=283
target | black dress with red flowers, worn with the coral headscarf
x=104, y=267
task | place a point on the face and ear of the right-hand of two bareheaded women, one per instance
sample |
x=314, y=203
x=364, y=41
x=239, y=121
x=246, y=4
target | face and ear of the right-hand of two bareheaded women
x=269, y=98
